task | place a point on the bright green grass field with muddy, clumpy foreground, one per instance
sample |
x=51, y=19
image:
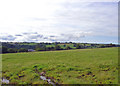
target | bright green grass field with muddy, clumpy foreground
x=80, y=66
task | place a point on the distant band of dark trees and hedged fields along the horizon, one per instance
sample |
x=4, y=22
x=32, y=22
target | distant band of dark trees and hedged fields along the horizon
x=14, y=47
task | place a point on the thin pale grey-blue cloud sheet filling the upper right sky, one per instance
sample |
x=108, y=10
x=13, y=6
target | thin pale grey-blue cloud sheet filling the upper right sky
x=89, y=17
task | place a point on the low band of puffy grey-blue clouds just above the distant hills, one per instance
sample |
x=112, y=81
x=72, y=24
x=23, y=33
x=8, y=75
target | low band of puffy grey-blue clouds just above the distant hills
x=36, y=37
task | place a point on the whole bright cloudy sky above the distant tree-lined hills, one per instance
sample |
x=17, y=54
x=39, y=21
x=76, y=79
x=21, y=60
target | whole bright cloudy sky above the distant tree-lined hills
x=59, y=20
